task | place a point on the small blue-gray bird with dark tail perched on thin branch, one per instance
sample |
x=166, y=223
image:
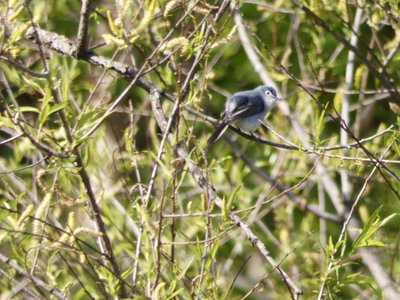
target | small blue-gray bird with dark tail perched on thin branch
x=245, y=110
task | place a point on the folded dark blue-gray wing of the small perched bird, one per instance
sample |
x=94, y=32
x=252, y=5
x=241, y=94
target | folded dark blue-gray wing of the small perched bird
x=245, y=108
